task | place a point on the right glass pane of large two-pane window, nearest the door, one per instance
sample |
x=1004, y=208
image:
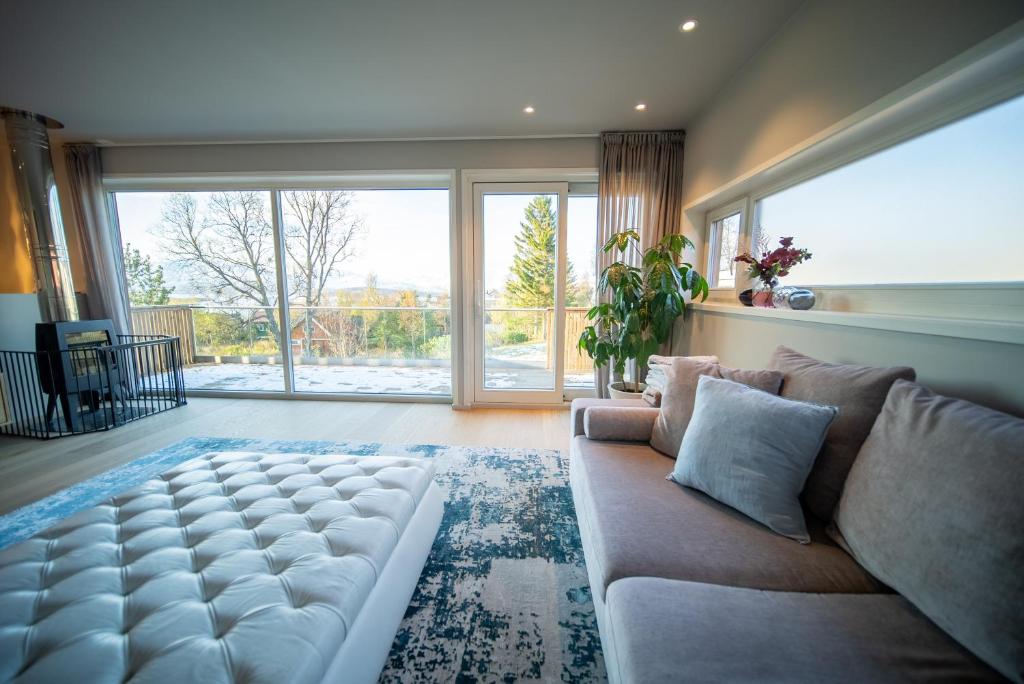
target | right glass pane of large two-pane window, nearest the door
x=369, y=301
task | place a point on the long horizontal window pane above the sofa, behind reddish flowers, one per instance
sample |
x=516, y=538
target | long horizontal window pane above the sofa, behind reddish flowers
x=944, y=207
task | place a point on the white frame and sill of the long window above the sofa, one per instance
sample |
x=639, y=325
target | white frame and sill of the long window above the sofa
x=984, y=77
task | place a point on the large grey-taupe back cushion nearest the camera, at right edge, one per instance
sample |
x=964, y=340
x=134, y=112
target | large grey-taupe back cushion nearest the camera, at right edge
x=933, y=508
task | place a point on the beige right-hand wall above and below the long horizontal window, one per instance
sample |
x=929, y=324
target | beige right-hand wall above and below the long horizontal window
x=832, y=60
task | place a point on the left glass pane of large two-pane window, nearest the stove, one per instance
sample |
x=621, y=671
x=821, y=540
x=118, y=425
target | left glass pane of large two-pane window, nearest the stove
x=202, y=267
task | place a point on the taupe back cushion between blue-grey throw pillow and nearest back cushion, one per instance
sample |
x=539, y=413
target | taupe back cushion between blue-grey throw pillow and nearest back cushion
x=859, y=392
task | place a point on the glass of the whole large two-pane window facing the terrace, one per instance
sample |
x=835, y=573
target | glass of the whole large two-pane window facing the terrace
x=366, y=273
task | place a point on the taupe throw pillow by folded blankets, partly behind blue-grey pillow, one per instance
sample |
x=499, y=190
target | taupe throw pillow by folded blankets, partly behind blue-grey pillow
x=680, y=393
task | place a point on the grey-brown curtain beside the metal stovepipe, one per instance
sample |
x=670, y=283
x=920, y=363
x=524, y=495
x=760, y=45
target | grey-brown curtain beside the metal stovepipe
x=100, y=243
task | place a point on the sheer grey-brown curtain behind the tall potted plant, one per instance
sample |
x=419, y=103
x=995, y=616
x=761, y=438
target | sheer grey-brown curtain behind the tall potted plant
x=641, y=188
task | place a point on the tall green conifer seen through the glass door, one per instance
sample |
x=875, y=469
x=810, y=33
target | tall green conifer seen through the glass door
x=532, y=283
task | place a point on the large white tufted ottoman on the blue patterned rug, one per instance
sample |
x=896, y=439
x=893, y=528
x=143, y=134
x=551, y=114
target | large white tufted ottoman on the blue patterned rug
x=231, y=568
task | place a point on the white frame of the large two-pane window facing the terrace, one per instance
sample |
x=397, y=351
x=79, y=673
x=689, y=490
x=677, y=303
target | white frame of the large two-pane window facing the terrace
x=275, y=184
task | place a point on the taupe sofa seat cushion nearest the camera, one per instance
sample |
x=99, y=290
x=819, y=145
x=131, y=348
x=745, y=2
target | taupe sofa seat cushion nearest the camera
x=670, y=631
